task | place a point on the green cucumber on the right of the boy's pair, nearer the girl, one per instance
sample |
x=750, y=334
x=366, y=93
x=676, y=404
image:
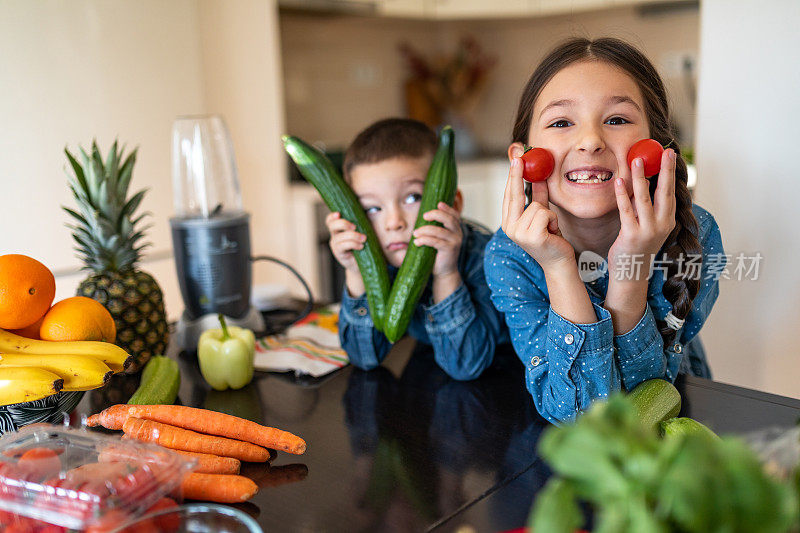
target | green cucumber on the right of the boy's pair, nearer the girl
x=440, y=186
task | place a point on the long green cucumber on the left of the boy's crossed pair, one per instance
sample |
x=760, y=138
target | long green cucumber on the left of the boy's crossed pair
x=339, y=197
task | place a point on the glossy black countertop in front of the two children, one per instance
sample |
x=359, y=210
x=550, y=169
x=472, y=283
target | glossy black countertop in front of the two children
x=405, y=448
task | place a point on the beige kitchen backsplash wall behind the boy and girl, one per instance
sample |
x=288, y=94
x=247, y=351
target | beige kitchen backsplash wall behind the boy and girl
x=343, y=72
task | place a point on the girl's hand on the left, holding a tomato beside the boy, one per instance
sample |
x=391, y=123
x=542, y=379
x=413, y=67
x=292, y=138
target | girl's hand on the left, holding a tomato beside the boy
x=534, y=228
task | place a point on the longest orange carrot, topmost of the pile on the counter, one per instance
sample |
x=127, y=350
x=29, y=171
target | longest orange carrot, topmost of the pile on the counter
x=214, y=423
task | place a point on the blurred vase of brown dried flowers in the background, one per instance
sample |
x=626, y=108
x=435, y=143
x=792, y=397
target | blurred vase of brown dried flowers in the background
x=448, y=89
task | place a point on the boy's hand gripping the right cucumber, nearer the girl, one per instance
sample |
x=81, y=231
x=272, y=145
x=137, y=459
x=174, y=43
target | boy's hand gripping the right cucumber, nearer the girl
x=446, y=239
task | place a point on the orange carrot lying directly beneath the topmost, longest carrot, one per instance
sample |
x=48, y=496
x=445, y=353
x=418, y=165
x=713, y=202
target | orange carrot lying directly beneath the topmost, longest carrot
x=190, y=441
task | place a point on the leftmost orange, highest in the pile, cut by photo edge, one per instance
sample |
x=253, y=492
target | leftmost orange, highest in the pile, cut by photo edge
x=27, y=289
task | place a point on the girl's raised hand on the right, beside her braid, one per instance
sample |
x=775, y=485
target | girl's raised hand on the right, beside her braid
x=645, y=226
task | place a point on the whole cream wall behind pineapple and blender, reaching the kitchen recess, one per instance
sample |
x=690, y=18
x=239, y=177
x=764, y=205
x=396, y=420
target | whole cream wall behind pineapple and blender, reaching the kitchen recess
x=84, y=69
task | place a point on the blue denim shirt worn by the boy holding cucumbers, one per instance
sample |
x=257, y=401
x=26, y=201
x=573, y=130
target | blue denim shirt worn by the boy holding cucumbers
x=463, y=329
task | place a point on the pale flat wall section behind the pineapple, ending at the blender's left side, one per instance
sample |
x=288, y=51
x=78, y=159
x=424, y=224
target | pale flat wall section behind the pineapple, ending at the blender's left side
x=76, y=71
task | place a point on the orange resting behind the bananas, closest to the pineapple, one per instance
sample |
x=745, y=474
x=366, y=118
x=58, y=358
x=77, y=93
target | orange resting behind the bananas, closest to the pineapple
x=78, y=319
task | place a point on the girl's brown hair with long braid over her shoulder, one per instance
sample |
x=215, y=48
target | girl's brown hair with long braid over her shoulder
x=680, y=288
